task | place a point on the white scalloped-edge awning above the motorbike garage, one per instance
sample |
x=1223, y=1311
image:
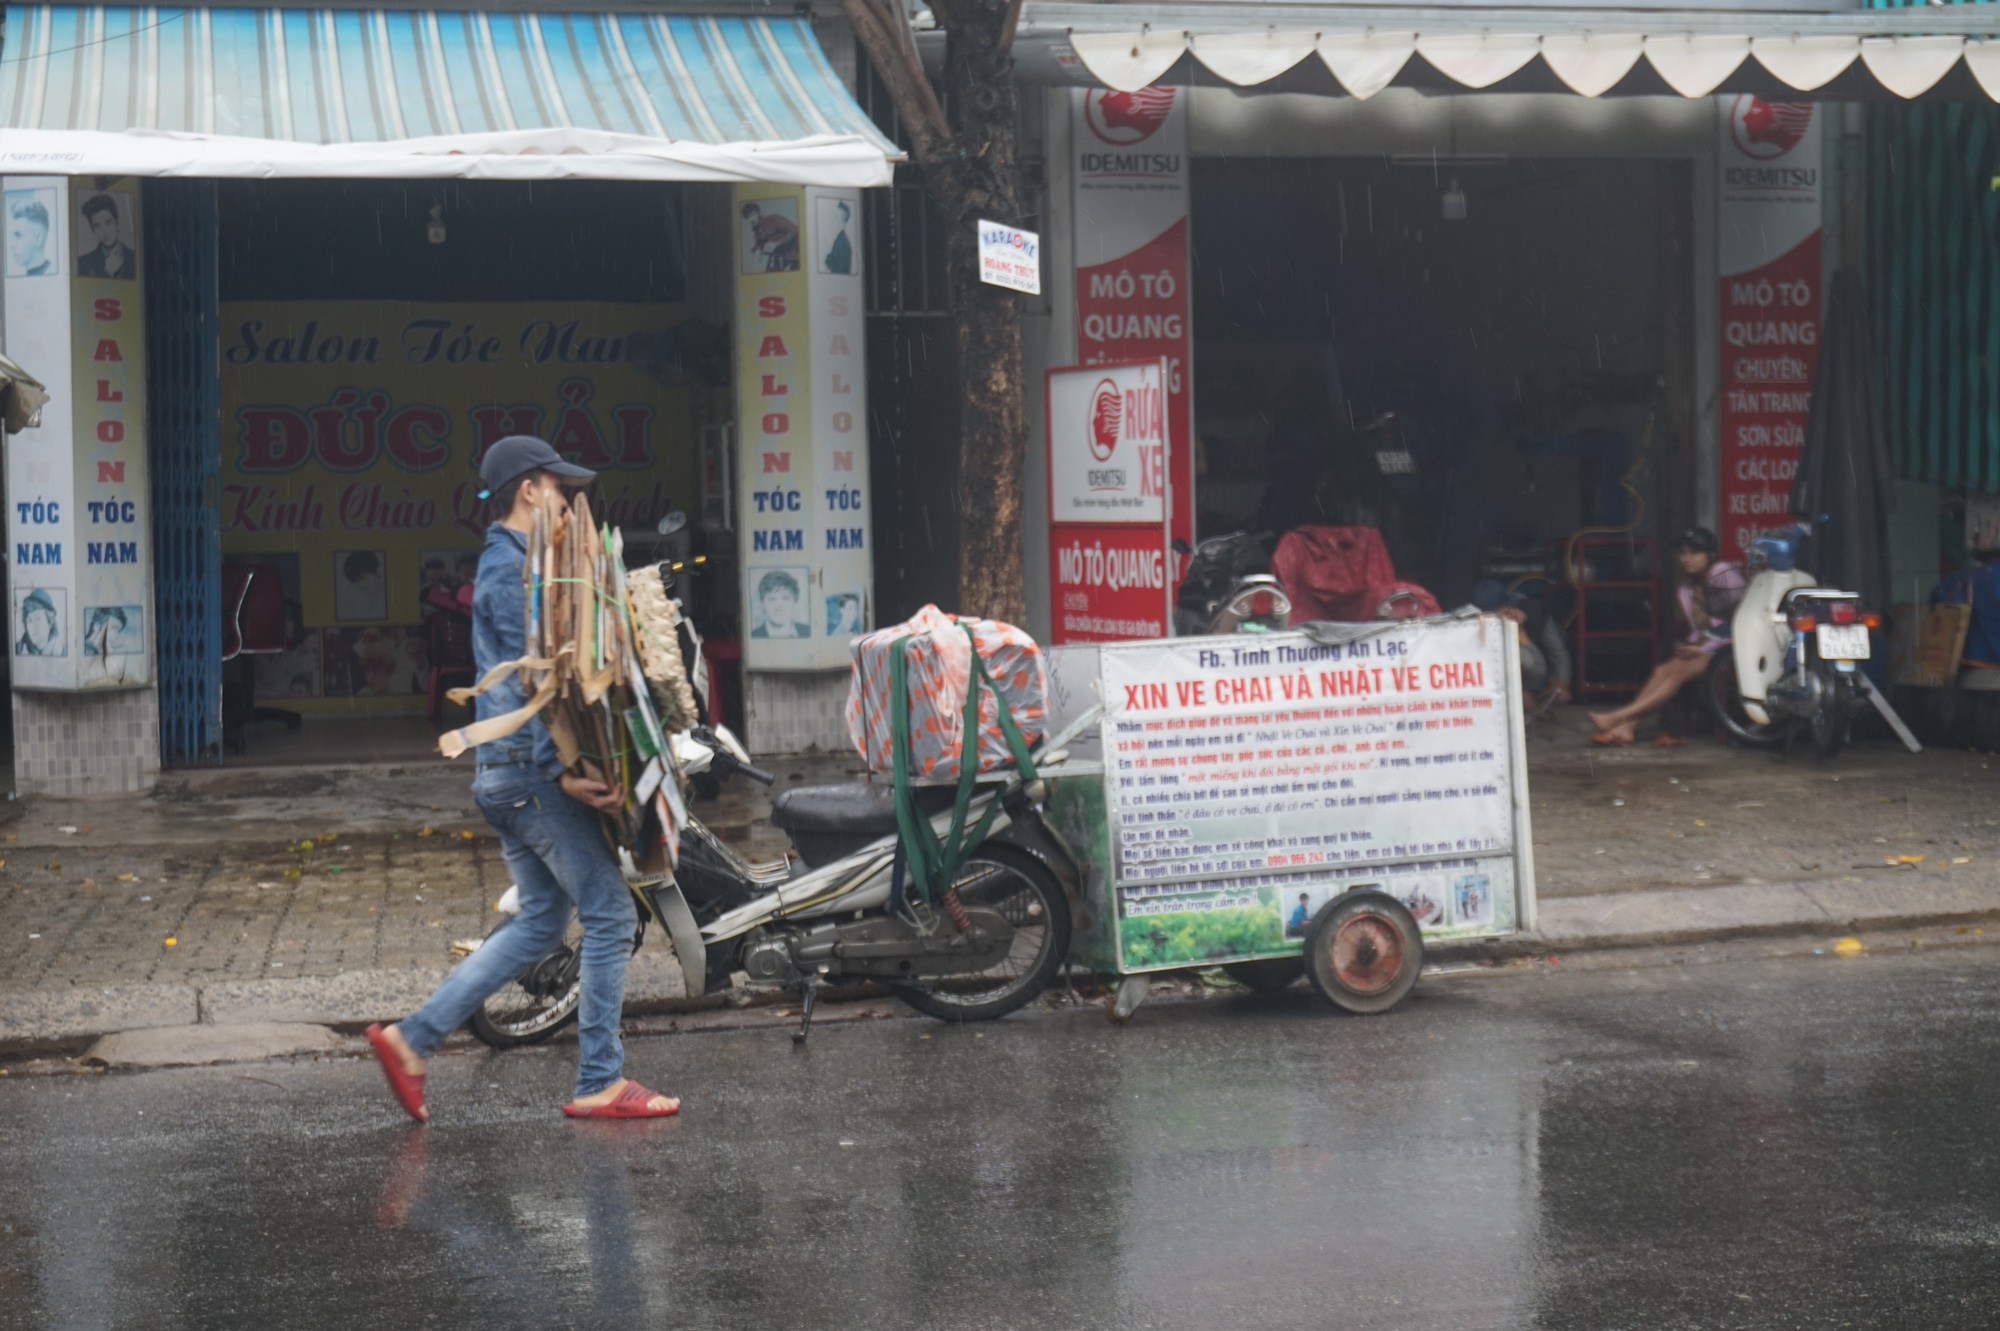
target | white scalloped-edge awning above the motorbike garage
x=1587, y=49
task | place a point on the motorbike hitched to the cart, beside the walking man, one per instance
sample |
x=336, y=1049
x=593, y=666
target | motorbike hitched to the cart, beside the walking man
x=839, y=906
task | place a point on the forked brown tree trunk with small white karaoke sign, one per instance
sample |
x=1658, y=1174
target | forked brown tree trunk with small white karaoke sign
x=971, y=175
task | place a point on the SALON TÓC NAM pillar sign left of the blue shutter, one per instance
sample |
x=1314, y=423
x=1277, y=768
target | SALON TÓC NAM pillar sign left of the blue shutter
x=77, y=491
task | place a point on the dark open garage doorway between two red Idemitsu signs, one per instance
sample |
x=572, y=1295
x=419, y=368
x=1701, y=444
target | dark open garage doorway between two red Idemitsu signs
x=1465, y=353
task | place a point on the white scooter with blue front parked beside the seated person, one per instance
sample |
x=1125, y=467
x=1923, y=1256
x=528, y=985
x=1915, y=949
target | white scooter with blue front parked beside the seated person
x=1793, y=668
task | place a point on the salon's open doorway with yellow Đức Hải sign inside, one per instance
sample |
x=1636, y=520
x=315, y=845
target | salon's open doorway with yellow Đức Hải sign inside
x=375, y=341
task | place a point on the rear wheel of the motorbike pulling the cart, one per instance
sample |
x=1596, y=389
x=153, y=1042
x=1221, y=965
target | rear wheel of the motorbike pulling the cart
x=1015, y=884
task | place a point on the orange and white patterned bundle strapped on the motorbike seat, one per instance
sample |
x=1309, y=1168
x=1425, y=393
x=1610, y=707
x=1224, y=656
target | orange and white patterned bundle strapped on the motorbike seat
x=939, y=666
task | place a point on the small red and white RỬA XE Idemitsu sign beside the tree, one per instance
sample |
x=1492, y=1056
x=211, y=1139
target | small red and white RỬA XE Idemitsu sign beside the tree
x=1109, y=499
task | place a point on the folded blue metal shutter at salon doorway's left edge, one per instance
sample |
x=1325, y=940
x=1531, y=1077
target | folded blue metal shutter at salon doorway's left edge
x=183, y=415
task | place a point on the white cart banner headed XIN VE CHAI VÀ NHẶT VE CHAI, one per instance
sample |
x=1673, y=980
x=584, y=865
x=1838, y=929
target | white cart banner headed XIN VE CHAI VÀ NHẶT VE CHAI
x=1253, y=778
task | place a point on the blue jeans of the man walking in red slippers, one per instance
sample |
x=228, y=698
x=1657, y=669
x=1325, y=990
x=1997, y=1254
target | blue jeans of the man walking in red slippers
x=559, y=860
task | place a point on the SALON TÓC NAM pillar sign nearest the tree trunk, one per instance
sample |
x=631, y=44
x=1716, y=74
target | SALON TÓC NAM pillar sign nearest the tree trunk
x=803, y=427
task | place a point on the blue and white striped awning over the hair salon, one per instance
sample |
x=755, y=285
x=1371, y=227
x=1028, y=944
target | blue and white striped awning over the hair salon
x=427, y=93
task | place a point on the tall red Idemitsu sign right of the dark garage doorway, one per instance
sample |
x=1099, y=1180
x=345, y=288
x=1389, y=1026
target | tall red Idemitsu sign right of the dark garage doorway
x=1769, y=257
